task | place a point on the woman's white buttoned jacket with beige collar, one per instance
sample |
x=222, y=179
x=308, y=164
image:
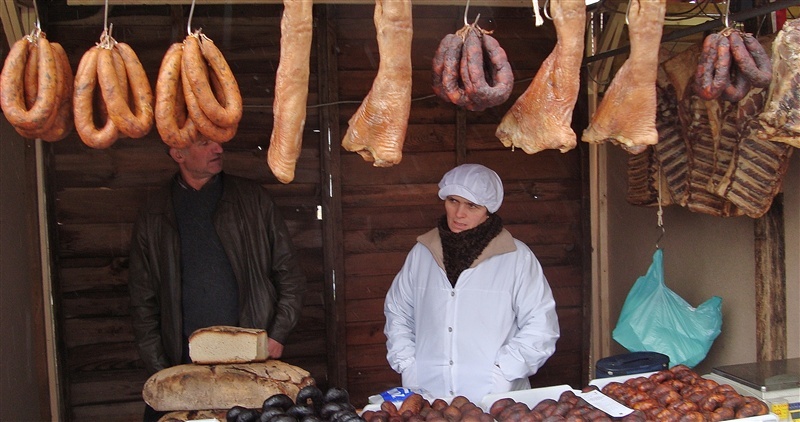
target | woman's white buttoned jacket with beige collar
x=487, y=334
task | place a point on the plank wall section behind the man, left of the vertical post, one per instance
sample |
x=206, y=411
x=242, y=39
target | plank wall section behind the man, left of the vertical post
x=97, y=194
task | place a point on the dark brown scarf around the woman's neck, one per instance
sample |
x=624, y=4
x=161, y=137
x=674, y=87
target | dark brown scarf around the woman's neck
x=461, y=249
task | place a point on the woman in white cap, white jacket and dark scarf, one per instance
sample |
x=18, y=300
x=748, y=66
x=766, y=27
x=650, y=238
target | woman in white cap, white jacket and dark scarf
x=471, y=312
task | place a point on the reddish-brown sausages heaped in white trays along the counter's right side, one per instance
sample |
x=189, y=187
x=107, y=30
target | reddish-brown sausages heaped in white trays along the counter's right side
x=676, y=394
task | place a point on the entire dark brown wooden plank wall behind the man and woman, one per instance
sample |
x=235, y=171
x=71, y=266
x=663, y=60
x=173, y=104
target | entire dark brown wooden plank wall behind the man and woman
x=96, y=193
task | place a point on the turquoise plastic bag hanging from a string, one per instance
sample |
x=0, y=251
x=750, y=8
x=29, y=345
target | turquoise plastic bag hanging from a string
x=656, y=319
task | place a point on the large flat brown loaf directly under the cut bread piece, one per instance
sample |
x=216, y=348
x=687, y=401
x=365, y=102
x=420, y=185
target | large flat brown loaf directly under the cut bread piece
x=201, y=387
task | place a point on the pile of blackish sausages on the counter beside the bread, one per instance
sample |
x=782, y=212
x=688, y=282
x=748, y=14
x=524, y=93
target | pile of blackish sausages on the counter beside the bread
x=311, y=405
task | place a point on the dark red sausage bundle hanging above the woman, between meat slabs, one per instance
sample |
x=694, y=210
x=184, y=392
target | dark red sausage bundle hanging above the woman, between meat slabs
x=471, y=70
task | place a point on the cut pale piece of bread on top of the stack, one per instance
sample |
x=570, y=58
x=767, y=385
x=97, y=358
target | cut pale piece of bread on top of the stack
x=225, y=344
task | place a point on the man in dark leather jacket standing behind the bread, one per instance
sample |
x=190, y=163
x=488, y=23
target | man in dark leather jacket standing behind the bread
x=210, y=249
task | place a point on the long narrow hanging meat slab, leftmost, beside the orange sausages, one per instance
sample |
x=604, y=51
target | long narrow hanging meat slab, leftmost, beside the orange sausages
x=291, y=89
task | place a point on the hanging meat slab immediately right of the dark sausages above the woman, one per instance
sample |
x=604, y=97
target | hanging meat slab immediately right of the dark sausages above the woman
x=541, y=117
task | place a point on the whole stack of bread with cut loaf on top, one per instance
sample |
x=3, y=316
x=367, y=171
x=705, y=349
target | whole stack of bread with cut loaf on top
x=230, y=367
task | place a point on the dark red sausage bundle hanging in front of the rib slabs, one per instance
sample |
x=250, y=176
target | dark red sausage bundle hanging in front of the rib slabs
x=731, y=63
